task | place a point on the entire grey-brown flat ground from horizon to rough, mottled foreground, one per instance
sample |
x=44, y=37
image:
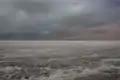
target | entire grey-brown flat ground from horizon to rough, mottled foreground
x=62, y=60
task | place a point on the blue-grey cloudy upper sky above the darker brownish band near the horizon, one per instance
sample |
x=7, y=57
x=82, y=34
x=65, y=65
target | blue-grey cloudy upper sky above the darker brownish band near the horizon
x=17, y=14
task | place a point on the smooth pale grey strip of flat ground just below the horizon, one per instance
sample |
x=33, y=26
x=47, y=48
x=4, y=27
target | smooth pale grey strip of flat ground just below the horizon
x=55, y=48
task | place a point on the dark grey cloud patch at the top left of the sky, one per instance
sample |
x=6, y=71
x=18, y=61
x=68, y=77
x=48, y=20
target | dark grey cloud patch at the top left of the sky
x=33, y=7
